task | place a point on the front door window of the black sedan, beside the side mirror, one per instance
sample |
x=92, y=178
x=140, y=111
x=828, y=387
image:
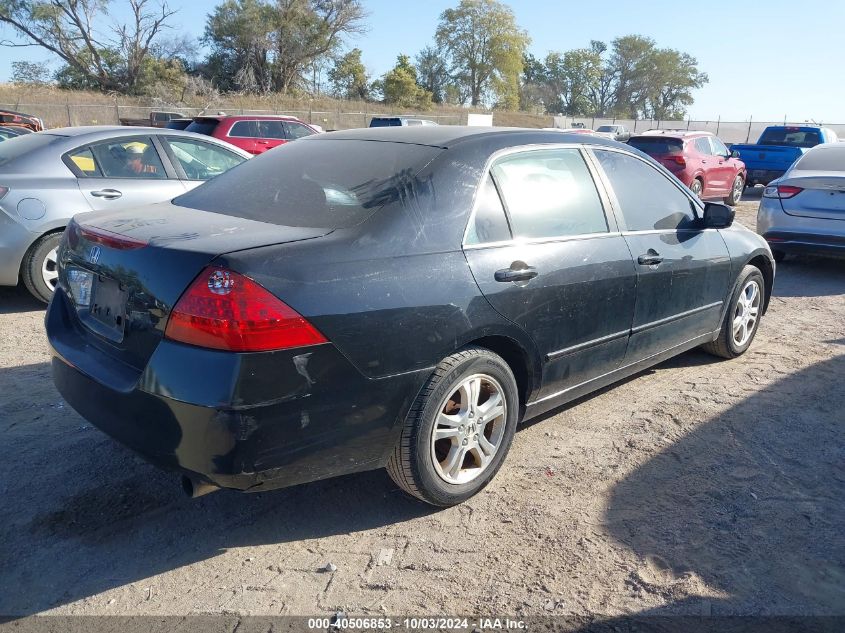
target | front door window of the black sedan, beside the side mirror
x=649, y=200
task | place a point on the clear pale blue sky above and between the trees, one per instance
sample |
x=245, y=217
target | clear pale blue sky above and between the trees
x=768, y=60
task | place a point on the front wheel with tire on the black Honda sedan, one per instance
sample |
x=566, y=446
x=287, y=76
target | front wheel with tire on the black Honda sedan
x=742, y=318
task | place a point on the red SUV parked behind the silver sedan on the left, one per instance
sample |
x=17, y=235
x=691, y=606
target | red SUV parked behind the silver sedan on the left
x=254, y=134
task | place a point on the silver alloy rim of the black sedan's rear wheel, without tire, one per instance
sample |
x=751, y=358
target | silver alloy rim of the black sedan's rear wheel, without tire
x=469, y=429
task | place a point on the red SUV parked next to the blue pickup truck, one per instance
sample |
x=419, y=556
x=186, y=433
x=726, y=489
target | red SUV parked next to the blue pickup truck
x=699, y=160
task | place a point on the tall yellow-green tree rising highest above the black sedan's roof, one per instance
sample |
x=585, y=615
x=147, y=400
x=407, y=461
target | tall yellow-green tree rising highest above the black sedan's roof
x=485, y=48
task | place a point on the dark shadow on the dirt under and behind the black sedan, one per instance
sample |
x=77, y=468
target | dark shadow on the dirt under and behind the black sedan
x=85, y=515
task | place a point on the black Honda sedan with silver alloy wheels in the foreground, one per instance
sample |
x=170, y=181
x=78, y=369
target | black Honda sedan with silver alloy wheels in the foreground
x=390, y=297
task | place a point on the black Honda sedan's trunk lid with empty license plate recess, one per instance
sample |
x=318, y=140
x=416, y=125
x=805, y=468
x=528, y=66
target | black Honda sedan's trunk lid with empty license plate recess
x=123, y=271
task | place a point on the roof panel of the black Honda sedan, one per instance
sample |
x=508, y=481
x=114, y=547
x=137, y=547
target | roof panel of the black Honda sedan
x=446, y=136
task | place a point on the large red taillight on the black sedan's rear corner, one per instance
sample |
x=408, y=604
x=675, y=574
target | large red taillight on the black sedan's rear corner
x=222, y=309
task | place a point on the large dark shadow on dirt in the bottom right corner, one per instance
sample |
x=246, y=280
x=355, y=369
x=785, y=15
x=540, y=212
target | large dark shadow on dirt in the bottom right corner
x=751, y=502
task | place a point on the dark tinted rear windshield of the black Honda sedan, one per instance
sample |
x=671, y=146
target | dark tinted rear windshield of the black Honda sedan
x=314, y=183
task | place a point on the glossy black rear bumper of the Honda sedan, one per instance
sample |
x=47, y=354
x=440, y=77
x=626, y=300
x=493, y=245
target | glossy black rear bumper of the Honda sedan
x=244, y=421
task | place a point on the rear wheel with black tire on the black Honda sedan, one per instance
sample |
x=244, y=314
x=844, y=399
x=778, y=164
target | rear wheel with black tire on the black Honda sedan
x=459, y=429
